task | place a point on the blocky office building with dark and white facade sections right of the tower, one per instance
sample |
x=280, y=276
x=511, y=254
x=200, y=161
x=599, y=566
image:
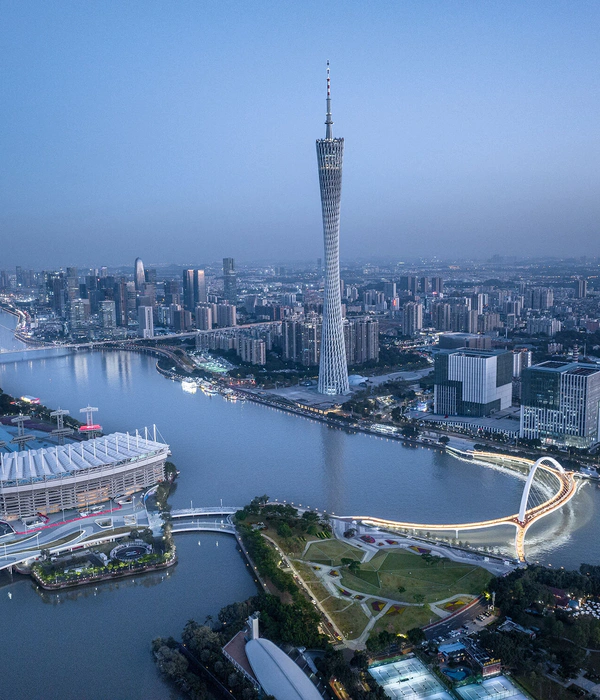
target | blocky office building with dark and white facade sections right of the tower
x=472, y=382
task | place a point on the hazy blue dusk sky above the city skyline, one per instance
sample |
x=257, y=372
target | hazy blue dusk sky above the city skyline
x=185, y=132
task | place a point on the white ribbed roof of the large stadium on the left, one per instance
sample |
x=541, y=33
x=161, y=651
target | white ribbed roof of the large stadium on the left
x=65, y=460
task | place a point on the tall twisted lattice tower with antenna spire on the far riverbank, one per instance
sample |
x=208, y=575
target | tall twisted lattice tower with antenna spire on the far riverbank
x=333, y=370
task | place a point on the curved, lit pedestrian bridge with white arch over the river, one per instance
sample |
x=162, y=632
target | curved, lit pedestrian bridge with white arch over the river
x=548, y=487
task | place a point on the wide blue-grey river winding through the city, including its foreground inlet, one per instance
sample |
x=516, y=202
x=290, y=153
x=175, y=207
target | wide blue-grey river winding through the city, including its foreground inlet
x=95, y=644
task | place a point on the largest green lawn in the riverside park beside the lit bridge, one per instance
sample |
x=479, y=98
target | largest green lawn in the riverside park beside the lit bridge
x=389, y=570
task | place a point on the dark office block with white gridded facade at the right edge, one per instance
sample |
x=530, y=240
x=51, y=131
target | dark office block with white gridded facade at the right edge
x=559, y=403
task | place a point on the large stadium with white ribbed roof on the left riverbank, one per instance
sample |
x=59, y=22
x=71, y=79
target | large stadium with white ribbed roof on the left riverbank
x=79, y=474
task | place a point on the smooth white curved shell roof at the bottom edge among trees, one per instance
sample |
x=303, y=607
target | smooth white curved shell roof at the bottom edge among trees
x=277, y=673
